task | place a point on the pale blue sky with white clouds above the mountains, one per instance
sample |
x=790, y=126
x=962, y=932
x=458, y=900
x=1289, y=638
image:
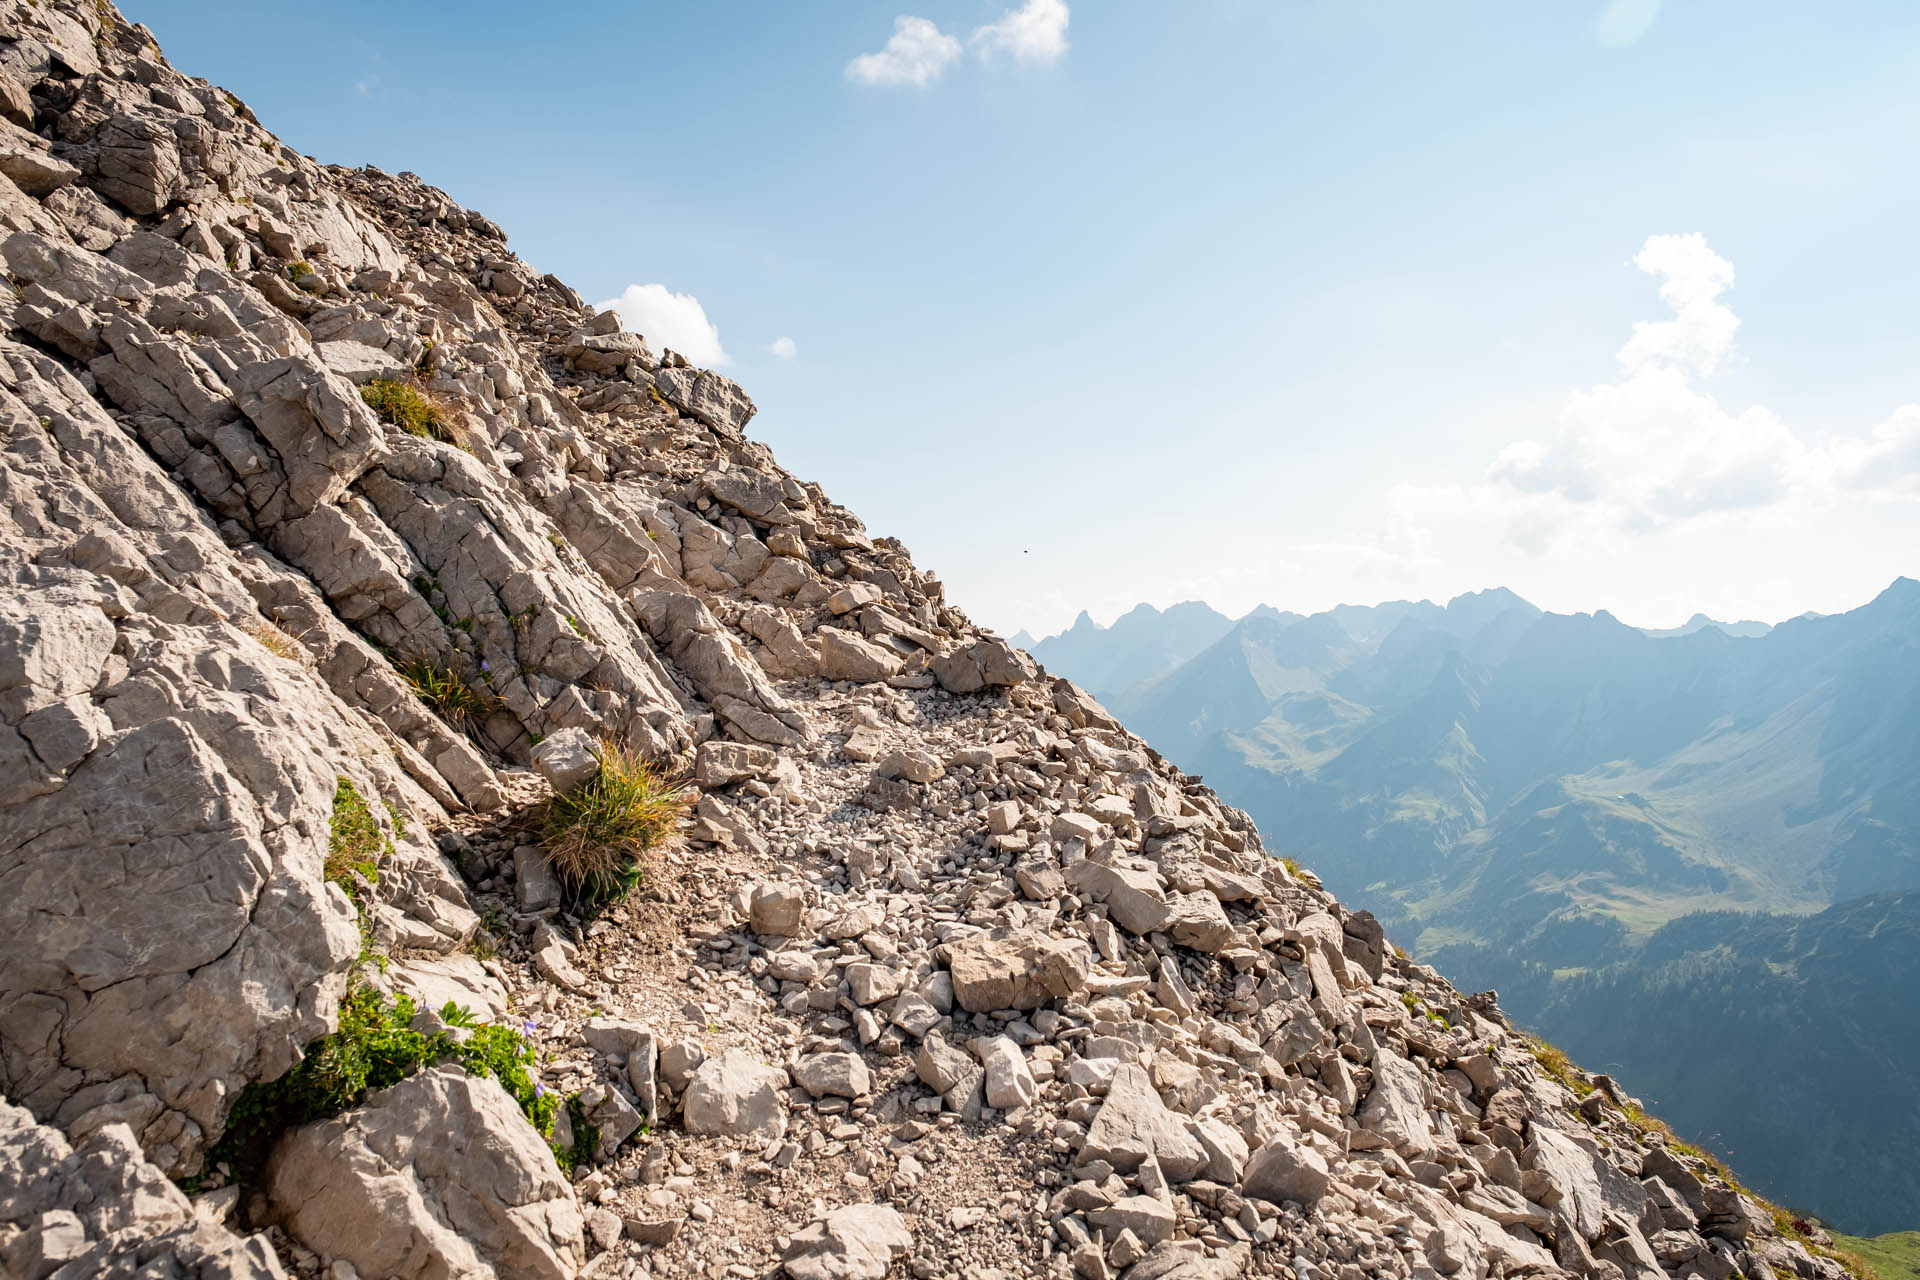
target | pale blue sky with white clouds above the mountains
x=1278, y=302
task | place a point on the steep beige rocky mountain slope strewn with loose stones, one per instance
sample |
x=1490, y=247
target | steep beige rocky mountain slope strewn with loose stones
x=948, y=978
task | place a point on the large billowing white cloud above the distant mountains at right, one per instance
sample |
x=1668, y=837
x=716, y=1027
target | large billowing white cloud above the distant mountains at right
x=1654, y=450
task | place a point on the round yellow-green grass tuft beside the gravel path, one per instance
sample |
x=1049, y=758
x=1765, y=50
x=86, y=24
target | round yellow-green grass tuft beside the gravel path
x=598, y=832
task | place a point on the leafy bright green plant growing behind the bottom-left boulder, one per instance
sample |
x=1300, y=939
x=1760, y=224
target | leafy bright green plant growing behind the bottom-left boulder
x=375, y=1047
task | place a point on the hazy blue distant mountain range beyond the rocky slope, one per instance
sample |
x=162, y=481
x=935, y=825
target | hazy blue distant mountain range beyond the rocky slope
x=1570, y=809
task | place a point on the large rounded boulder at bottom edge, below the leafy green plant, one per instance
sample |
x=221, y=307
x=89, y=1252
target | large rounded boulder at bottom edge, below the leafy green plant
x=435, y=1177
